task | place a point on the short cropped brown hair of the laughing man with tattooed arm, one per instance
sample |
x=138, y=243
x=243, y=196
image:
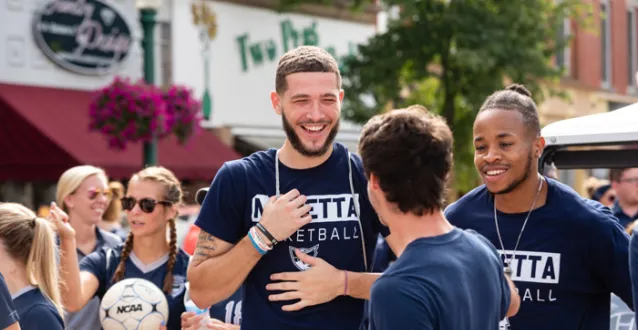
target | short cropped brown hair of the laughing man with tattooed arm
x=304, y=59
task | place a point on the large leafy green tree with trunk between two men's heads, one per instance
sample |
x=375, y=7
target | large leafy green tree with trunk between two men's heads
x=449, y=55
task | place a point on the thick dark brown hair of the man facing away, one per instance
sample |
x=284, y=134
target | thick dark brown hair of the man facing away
x=410, y=151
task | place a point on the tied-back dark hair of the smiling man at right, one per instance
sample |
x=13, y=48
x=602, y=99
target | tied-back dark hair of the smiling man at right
x=516, y=97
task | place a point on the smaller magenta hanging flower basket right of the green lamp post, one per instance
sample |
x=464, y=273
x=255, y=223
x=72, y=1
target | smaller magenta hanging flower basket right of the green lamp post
x=183, y=111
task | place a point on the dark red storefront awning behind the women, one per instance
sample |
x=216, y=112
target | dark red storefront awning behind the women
x=46, y=130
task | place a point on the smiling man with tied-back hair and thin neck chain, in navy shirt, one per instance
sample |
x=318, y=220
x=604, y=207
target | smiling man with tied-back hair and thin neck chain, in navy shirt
x=566, y=254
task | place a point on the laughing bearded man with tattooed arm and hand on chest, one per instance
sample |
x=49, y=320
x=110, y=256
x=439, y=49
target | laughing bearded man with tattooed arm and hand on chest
x=294, y=226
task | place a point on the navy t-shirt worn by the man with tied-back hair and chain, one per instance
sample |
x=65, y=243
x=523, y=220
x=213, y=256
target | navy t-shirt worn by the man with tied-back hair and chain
x=572, y=255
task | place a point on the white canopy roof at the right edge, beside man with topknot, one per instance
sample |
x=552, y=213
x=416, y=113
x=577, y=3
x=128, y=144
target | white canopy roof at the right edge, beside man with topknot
x=616, y=126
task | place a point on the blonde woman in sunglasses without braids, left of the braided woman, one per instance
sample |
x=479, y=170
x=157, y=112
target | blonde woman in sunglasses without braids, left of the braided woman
x=83, y=194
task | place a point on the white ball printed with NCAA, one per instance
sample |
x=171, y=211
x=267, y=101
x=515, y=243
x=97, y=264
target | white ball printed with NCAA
x=133, y=303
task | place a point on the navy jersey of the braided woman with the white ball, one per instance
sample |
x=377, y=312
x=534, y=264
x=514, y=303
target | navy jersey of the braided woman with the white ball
x=103, y=268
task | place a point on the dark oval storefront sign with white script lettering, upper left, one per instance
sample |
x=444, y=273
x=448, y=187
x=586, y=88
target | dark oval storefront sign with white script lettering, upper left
x=83, y=36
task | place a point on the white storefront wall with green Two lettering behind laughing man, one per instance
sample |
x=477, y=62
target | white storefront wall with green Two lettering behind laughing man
x=240, y=68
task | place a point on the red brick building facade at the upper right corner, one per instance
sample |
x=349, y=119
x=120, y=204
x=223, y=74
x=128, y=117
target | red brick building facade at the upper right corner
x=600, y=64
